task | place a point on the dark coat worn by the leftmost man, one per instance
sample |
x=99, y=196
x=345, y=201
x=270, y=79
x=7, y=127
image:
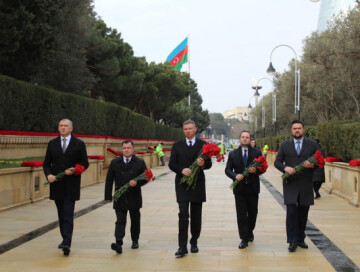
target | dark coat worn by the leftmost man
x=56, y=162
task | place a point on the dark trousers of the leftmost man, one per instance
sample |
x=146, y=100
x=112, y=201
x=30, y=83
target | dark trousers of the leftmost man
x=65, y=208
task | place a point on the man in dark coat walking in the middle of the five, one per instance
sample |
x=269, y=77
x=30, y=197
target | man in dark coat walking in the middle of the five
x=183, y=154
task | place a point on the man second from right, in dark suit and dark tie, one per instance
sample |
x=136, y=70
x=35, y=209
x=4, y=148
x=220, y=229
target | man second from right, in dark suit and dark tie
x=247, y=191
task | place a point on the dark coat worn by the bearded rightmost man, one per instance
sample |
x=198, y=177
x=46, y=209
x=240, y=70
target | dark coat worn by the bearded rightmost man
x=298, y=186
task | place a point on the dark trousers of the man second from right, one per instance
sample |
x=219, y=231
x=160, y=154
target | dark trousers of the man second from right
x=246, y=212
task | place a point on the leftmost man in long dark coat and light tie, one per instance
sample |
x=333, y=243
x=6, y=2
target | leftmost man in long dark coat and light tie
x=63, y=153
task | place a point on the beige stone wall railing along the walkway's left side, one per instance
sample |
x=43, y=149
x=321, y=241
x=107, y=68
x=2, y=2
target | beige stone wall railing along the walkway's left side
x=25, y=184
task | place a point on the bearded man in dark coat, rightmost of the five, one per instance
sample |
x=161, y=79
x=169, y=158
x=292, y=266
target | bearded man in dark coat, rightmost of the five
x=298, y=194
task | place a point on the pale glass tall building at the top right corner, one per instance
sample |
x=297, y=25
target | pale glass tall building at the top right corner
x=331, y=8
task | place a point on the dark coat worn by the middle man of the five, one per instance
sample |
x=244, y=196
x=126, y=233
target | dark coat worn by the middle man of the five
x=182, y=157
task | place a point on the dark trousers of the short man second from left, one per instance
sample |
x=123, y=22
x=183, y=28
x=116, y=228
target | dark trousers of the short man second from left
x=120, y=225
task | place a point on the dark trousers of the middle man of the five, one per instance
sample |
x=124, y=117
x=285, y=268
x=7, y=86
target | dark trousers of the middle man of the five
x=195, y=222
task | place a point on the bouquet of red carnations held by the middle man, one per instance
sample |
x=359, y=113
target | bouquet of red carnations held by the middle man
x=207, y=152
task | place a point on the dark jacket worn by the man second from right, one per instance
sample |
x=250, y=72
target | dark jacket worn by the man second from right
x=235, y=165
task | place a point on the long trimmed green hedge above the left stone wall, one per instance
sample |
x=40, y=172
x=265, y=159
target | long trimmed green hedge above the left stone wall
x=27, y=107
